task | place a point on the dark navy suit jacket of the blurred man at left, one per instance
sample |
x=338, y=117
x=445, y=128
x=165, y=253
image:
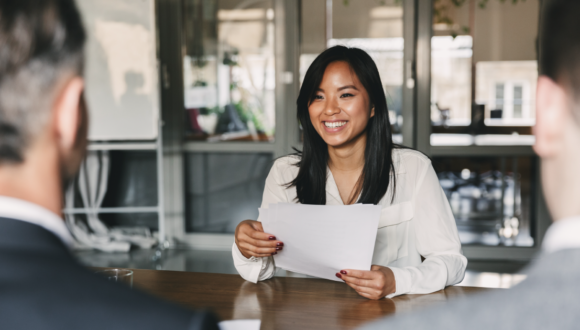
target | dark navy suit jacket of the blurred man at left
x=42, y=286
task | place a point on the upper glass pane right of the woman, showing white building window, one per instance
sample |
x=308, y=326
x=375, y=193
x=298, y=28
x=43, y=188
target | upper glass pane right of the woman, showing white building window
x=484, y=69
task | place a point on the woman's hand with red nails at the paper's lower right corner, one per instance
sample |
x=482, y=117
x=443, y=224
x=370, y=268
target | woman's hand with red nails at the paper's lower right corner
x=373, y=284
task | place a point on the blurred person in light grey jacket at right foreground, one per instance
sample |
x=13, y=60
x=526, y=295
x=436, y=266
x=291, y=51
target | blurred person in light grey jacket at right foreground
x=550, y=296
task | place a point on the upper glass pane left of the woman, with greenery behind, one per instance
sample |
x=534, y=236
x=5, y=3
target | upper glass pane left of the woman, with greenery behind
x=229, y=75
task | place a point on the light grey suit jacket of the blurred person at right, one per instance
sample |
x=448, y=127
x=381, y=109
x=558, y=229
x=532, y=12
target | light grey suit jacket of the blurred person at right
x=549, y=298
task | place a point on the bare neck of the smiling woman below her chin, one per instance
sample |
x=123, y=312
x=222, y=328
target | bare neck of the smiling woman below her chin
x=348, y=158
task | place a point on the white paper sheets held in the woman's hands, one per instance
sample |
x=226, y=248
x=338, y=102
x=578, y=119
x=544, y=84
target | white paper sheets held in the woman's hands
x=321, y=240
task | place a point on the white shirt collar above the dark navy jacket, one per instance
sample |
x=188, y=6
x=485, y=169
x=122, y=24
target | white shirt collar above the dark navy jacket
x=18, y=209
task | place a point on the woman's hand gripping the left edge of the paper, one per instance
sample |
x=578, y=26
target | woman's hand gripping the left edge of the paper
x=253, y=242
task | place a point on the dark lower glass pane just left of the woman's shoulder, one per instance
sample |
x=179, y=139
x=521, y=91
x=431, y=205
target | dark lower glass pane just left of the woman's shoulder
x=223, y=189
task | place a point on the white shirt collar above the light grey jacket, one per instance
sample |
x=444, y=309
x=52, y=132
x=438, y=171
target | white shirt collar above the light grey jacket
x=562, y=234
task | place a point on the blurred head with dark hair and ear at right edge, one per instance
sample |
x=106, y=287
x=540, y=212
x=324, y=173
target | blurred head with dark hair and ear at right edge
x=557, y=127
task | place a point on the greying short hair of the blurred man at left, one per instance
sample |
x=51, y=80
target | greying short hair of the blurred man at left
x=41, y=42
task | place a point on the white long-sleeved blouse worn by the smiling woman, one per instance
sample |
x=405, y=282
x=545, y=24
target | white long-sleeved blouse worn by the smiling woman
x=418, y=223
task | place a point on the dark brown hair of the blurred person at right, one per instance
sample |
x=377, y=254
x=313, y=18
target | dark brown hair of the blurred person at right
x=560, y=43
